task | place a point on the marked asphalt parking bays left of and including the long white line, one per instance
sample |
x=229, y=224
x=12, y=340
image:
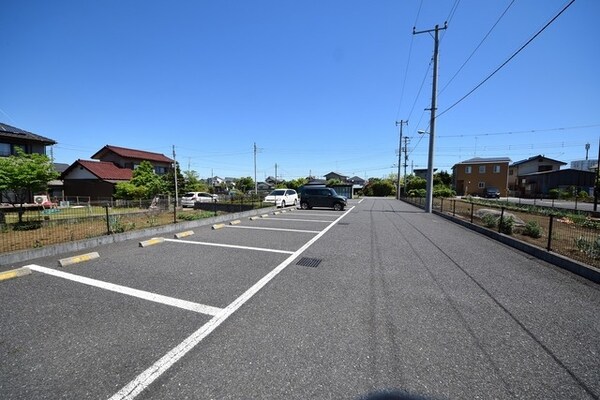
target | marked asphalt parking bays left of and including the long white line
x=92, y=328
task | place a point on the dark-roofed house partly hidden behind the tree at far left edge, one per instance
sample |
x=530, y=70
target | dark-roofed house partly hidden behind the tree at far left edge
x=12, y=138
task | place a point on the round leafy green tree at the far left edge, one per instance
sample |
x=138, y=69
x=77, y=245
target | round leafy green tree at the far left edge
x=22, y=175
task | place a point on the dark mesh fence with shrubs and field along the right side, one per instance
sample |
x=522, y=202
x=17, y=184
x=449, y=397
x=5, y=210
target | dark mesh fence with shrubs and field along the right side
x=570, y=233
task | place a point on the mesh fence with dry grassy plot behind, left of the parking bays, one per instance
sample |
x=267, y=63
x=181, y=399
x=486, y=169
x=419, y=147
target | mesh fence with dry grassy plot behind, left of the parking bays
x=43, y=226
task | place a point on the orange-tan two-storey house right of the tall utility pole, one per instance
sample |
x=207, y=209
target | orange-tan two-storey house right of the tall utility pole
x=474, y=175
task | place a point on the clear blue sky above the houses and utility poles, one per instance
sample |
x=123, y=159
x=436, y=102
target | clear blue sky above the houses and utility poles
x=318, y=85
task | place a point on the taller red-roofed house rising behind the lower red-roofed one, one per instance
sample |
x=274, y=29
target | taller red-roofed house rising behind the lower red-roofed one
x=131, y=158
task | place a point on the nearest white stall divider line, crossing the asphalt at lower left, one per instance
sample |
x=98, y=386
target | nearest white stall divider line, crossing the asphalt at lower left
x=157, y=298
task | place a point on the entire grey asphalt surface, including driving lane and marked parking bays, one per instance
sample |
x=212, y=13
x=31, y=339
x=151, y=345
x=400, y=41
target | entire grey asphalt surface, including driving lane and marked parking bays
x=387, y=298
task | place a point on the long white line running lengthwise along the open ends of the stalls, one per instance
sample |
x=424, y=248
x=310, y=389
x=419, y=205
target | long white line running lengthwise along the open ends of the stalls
x=142, y=381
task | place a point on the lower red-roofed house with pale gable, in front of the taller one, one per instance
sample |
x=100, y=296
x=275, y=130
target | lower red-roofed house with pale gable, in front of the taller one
x=93, y=179
